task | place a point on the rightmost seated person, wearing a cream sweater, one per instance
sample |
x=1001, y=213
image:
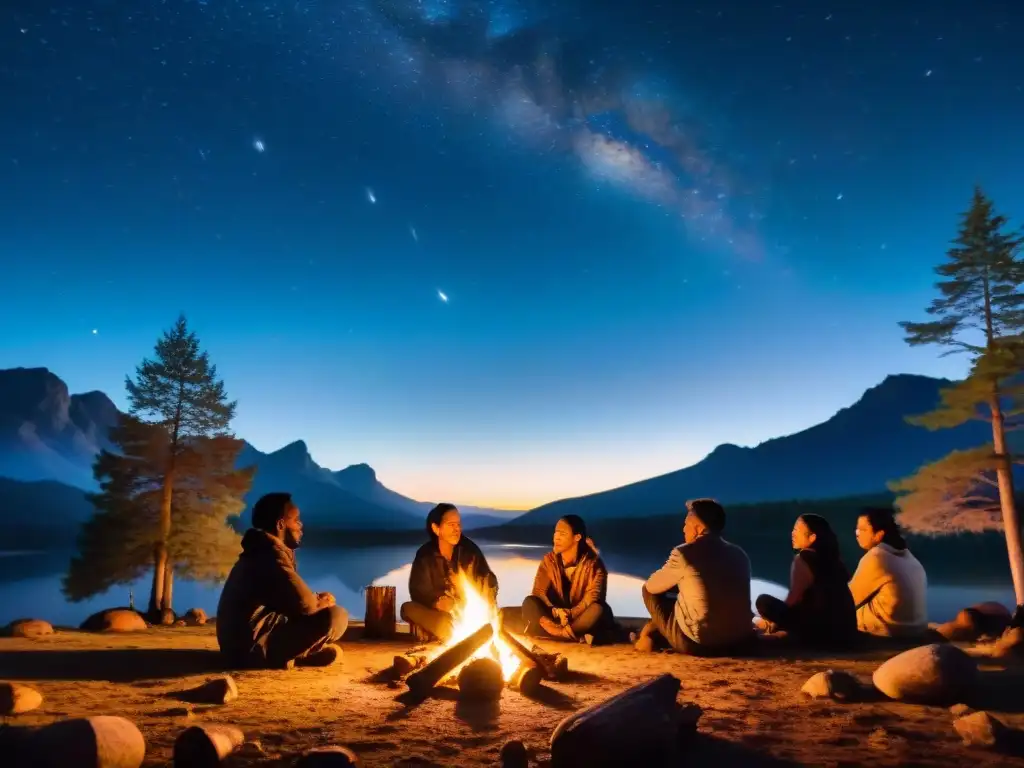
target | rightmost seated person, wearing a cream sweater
x=890, y=587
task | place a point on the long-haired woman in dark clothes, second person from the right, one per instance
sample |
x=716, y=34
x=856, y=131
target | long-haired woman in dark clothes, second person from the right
x=819, y=610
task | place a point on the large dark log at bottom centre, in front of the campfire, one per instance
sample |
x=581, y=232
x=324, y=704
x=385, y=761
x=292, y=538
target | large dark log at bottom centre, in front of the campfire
x=638, y=727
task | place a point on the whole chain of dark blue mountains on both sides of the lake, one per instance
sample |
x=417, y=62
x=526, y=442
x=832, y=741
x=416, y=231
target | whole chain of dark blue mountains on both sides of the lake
x=50, y=436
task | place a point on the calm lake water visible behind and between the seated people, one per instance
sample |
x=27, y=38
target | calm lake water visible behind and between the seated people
x=30, y=583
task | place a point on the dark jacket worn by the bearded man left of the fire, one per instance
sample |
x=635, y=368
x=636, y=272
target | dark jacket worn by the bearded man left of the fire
x=263, y=590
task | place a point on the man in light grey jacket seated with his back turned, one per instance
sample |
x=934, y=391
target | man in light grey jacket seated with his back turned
x=712, y=615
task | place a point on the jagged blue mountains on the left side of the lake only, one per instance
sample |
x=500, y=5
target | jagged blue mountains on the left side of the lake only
x=50, y=439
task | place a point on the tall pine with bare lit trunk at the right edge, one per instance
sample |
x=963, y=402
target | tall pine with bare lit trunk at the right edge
x=980, y=313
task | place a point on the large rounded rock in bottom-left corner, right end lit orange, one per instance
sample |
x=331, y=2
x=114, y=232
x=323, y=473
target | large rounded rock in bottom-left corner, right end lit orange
x=101, y=742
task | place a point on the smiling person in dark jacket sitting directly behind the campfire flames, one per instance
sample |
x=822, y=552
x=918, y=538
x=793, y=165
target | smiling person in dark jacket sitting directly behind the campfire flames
x=435, y=582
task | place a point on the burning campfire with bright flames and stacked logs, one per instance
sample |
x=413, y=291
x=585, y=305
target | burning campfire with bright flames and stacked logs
x=482, y=655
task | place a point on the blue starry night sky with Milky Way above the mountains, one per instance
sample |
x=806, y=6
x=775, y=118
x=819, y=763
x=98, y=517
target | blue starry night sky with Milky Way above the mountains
x=504, y=251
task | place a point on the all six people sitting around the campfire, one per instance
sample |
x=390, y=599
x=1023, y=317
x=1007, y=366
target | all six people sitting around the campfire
x=700, y=602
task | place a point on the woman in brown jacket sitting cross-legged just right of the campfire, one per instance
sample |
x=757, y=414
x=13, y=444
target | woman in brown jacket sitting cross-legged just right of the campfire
x=570, y=596
